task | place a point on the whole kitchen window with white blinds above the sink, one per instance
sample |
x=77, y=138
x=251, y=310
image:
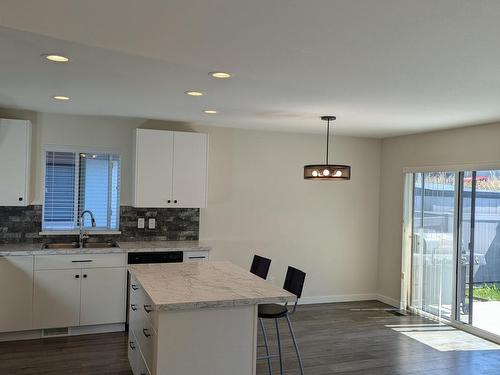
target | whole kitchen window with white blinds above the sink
x=76, y=181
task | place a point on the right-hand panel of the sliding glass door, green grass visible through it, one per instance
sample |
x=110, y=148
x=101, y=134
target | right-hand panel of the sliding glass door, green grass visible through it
x=478, y=282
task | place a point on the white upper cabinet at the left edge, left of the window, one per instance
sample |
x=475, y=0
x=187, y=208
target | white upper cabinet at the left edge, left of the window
x=15, y=151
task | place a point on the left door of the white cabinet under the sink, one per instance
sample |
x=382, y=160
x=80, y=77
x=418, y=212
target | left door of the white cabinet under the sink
x=56, y=298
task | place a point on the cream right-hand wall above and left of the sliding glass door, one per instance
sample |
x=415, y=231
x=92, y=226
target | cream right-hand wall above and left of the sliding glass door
x=478, y=144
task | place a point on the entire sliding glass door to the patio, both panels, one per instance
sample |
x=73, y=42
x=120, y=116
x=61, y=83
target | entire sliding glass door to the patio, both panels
x=455, y=251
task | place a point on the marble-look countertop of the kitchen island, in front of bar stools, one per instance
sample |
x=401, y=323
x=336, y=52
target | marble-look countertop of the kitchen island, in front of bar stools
x=188, y=286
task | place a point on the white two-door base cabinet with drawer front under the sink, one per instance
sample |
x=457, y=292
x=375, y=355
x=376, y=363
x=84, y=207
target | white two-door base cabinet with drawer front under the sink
x=78, y=296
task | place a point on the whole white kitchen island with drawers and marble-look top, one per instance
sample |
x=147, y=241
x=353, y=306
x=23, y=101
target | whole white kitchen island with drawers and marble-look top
x=196, y=318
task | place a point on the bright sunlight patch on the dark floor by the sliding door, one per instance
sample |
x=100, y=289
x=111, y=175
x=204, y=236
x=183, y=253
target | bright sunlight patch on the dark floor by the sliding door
x=443, y=338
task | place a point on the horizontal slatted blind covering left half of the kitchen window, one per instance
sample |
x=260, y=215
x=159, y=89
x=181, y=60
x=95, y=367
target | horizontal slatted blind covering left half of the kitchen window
x=60, y=181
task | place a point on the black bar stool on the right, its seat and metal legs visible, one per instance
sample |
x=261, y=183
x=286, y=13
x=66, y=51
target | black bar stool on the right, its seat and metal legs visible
x=294, y=283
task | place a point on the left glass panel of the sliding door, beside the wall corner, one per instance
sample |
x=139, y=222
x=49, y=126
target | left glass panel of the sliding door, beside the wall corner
x=432, y=250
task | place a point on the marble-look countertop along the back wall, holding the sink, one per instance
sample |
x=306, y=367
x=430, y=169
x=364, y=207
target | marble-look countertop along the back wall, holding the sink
x=124, y=247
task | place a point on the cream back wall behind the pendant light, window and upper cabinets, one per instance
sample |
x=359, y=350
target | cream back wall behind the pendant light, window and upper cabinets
x=258, y=201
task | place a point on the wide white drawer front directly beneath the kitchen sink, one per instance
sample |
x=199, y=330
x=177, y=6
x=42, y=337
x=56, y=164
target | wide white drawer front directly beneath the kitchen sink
x=58, y=262
